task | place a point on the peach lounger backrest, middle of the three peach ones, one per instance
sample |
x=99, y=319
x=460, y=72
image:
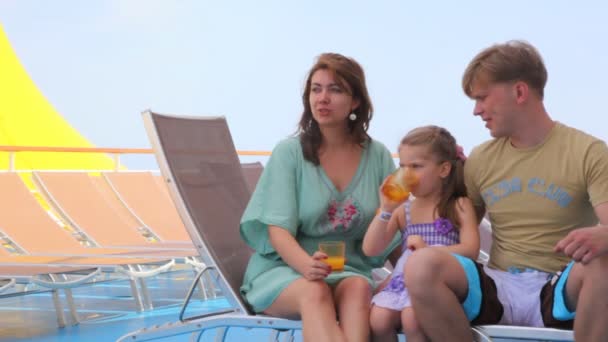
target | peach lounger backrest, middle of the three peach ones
x=89, y=205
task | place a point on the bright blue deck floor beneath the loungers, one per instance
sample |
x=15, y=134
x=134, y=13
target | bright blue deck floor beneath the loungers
x=107, y=311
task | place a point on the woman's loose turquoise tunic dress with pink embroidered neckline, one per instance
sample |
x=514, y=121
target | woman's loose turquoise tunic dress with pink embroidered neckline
x=296, y=195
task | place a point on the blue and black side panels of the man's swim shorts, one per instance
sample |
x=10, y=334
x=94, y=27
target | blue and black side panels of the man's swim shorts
x=482, y=306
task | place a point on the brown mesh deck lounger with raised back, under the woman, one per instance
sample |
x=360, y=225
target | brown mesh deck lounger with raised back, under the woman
x=197, y=157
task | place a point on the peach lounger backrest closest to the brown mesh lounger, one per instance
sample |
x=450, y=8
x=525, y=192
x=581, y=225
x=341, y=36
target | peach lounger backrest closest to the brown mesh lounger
x=150, y=203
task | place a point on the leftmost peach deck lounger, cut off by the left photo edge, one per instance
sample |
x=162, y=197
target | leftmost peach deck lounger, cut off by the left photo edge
x=31, y=238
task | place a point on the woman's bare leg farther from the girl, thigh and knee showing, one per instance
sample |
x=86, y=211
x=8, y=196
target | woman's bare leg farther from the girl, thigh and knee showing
x=312, y=301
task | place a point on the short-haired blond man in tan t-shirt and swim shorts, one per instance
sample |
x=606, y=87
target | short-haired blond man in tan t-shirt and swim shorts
x=544, y=186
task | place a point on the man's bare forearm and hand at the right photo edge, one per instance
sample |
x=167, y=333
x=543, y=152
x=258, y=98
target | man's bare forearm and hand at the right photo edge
x=584, y=244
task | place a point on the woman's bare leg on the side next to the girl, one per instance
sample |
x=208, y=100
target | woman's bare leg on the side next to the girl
x=353, y=301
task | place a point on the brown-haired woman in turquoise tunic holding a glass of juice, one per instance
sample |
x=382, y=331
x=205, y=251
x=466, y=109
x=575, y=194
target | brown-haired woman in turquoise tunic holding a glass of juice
x=318, y=186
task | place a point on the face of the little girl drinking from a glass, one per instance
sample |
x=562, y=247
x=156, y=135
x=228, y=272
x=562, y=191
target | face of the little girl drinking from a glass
x=426, y=168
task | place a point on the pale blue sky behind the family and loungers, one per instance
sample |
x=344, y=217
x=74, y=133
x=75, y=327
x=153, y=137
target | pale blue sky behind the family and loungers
x=102, y=62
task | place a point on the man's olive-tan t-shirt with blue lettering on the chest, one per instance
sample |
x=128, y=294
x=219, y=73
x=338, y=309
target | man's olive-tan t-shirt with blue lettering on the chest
x=535, y=196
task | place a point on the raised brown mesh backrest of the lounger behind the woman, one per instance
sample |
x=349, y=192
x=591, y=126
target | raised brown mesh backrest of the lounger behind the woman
x=198, y=160
